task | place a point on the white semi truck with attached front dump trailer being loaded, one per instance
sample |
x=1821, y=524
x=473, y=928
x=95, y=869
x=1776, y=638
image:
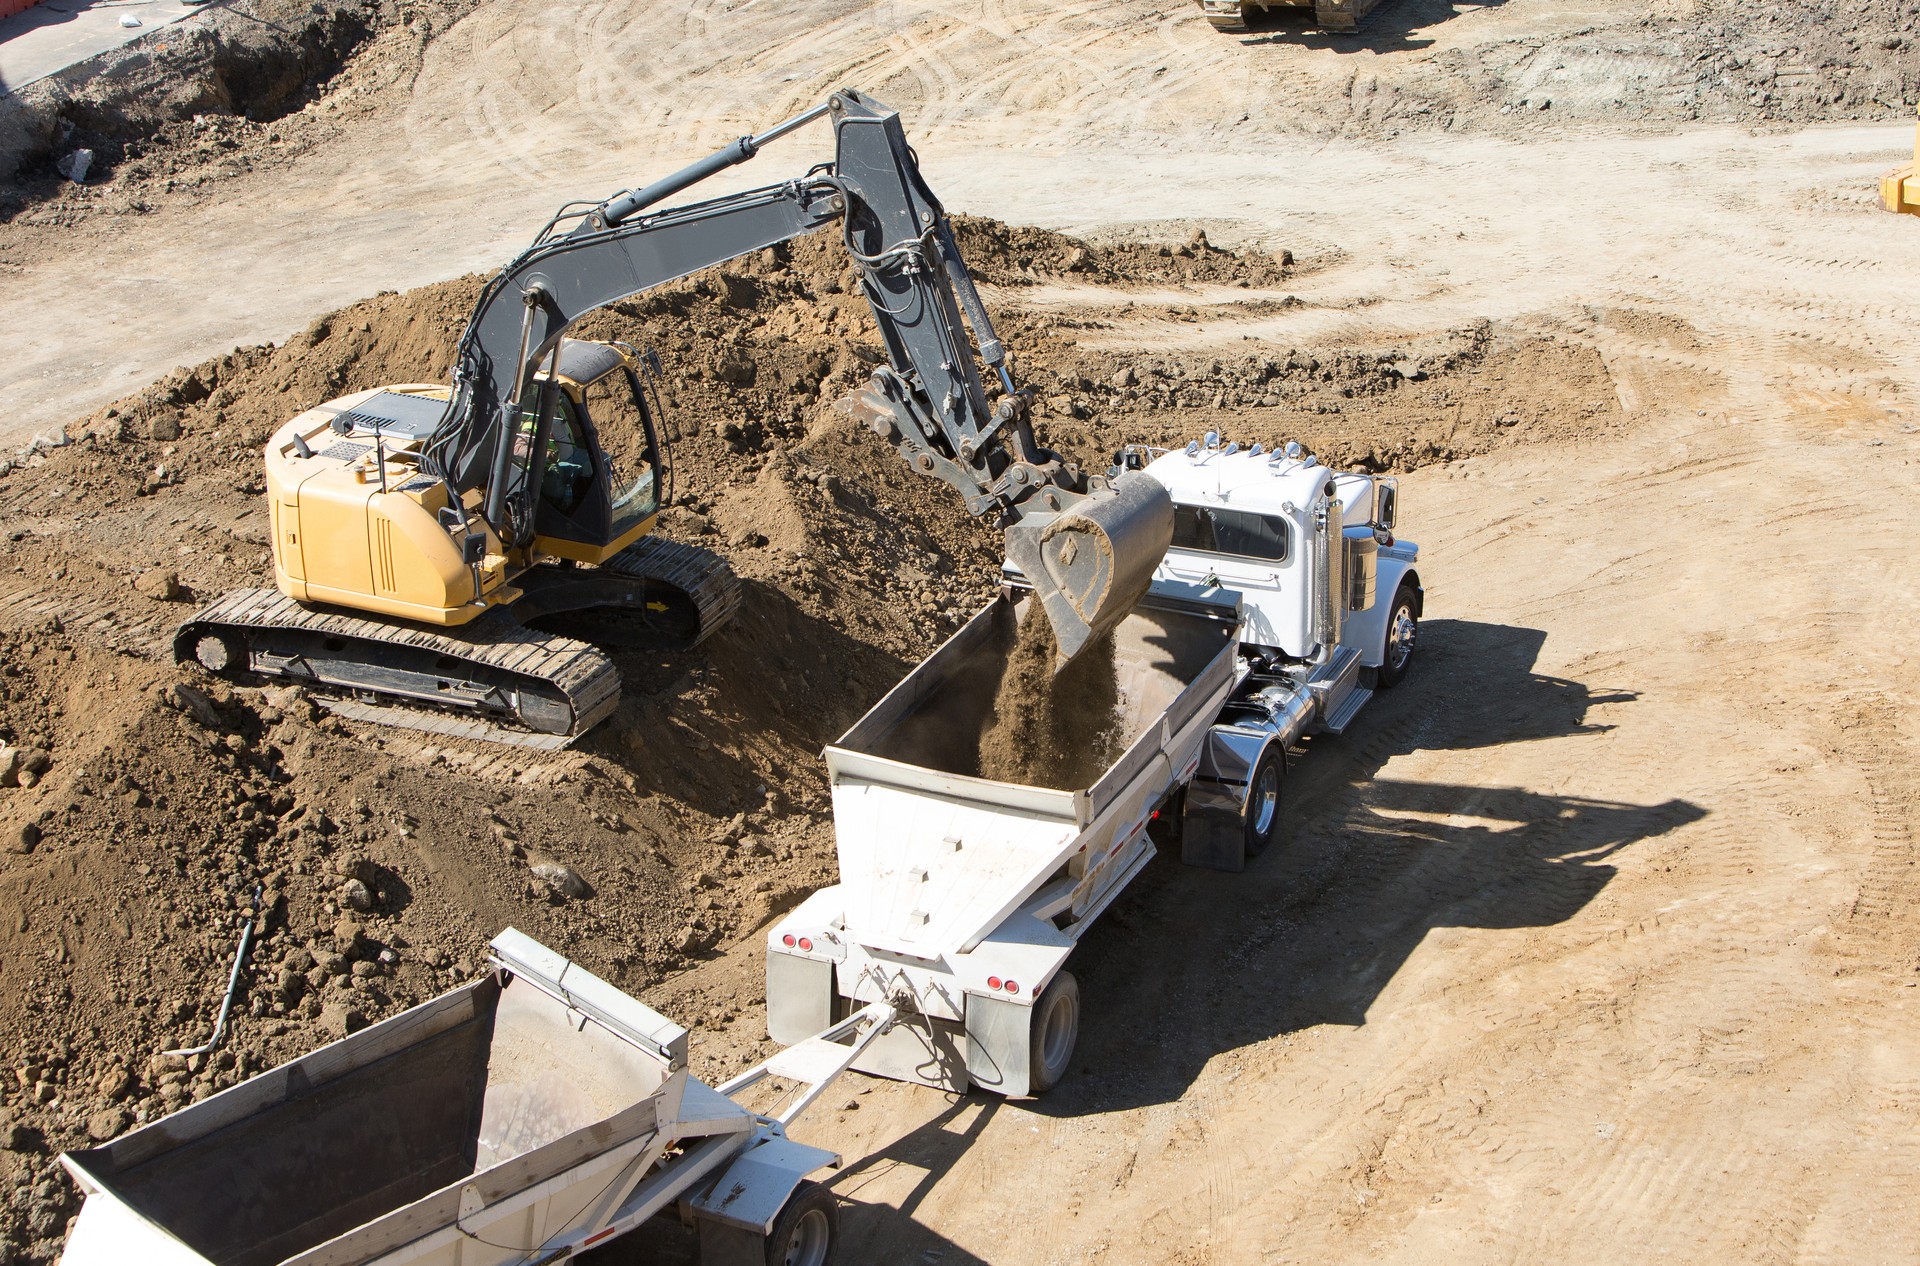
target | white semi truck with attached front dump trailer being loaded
x=1282, y=606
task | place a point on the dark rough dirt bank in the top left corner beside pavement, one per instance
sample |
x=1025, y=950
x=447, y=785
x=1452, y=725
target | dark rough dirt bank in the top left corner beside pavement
x=235, y=89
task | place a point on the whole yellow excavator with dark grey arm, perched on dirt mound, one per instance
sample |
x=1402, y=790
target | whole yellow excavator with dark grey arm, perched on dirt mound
x=427, y=537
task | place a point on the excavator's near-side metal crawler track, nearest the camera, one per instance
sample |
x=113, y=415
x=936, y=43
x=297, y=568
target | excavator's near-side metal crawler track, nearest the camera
x=491, y=679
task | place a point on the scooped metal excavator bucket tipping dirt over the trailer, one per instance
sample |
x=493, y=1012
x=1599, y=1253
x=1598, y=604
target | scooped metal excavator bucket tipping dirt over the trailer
x=1092, y=562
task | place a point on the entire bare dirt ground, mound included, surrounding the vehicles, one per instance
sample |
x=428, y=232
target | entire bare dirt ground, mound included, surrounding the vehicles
x=1595, y=940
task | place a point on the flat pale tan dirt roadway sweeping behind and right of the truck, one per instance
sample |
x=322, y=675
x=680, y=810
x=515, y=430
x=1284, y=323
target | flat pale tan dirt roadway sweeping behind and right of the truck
x=1596, y=938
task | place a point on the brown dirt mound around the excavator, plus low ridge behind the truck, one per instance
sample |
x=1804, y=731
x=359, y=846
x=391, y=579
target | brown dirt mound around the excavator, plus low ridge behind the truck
x=162, y=800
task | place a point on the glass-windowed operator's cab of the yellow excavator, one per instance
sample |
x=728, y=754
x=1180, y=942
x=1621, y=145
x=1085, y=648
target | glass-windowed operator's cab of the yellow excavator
x=590, y=508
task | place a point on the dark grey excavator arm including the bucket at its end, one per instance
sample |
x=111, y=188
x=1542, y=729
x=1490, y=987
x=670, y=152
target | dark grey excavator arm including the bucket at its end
x=1086, y=545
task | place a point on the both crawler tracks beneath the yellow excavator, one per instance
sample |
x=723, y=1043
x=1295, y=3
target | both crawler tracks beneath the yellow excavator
x=494, y=679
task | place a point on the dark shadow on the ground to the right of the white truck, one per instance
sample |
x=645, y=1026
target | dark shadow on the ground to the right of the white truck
x=1366, y=867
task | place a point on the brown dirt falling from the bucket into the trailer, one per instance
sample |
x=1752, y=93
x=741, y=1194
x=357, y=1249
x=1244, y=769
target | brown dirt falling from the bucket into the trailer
x=1053, y=731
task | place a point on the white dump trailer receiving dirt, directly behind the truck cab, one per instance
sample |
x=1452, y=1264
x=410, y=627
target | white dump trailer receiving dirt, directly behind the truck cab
x=963, y=896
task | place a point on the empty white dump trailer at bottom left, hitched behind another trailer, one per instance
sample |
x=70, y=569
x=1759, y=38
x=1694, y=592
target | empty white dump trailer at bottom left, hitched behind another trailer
x=519, y=1119
